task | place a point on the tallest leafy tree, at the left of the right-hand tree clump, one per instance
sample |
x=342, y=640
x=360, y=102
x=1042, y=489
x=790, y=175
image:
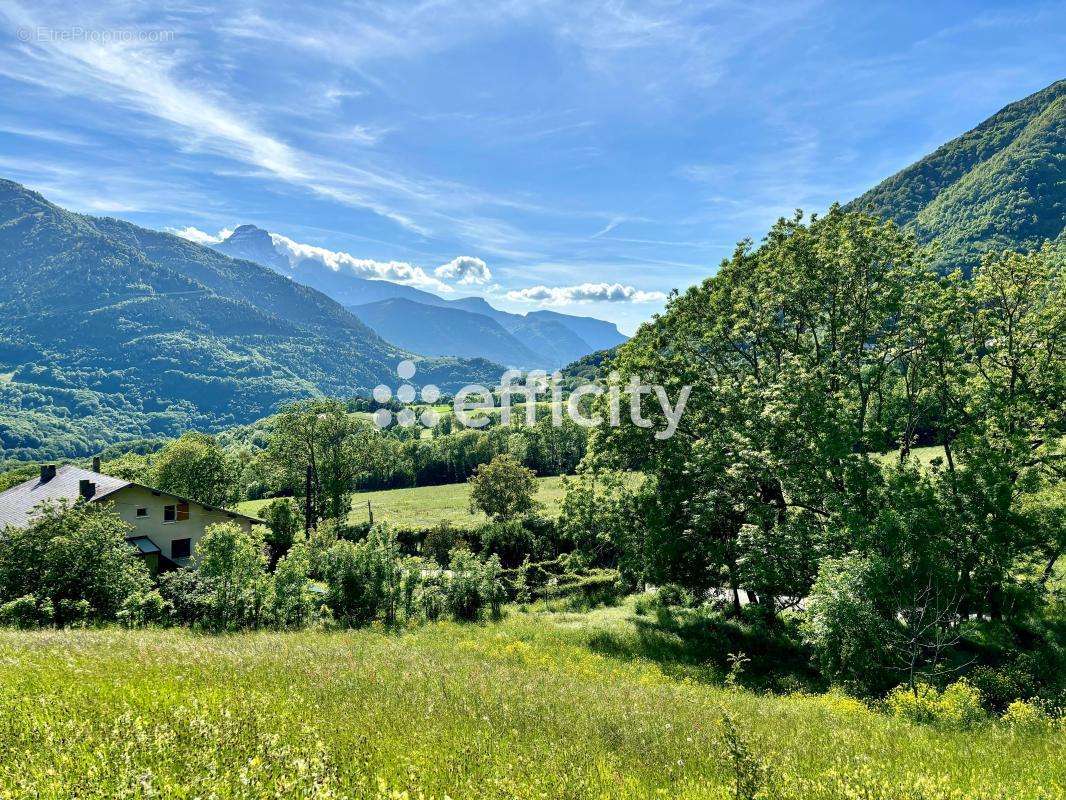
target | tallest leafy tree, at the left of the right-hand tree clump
x=795, y=353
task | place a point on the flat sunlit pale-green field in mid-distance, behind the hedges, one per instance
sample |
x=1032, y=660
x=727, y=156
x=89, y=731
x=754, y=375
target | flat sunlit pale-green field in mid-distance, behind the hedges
x=425, y=507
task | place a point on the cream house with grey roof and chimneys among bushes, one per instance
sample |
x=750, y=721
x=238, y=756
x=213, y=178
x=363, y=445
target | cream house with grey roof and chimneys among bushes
x=166, y=527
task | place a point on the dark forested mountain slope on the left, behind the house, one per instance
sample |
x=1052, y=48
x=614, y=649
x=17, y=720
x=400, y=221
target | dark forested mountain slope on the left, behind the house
x=109, y=330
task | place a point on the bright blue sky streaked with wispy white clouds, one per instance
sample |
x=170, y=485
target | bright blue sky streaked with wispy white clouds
x=593, y=156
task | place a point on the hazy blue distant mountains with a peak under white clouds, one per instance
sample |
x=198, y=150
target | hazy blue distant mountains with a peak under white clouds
x=425, y=323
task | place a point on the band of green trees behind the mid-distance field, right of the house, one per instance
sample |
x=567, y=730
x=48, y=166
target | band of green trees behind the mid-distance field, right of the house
x=345, y=452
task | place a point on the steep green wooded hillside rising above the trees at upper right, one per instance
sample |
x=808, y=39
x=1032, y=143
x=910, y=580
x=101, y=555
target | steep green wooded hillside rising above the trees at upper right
x=999, y=186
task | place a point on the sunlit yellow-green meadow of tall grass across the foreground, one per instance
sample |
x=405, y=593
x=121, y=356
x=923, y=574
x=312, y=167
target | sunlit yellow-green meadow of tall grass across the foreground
x=521, y=710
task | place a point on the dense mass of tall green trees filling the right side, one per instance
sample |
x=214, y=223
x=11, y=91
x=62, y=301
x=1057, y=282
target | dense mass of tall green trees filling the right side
x=831, y=343
